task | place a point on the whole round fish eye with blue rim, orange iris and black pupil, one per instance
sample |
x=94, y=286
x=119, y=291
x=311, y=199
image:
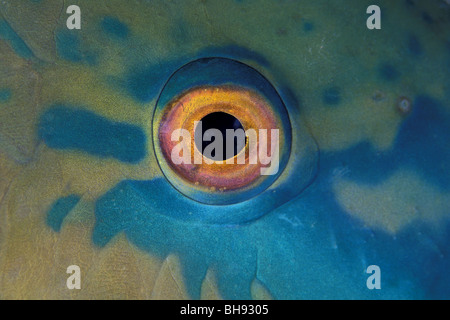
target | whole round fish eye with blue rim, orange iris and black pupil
x=250, y=120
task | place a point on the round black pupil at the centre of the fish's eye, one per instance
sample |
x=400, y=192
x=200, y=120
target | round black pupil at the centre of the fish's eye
x=221, y=121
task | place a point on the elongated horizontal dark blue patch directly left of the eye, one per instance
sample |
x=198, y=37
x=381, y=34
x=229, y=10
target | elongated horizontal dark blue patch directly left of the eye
x=62, y=127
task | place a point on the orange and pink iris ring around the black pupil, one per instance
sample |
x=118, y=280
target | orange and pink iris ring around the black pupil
x=251, y=109
